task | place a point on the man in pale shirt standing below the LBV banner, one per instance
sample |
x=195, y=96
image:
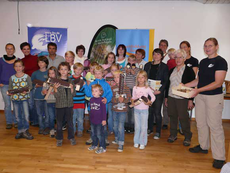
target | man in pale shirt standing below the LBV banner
x=54, y=59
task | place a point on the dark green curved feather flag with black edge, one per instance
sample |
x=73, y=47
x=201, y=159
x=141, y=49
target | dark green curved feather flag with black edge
x=103, y=42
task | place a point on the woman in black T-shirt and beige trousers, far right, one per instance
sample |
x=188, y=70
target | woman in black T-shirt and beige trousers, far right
x=209, y=103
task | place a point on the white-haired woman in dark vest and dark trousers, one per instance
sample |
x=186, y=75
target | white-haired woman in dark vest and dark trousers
x=178, y=106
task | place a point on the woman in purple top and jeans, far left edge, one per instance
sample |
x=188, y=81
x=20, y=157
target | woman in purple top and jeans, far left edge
x=6, y=71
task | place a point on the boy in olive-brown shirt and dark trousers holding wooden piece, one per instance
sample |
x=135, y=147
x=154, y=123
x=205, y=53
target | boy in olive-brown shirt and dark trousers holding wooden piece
x=64, y=104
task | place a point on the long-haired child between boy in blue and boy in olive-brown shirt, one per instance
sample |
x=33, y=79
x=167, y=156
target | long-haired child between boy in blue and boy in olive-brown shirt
x=53, y=73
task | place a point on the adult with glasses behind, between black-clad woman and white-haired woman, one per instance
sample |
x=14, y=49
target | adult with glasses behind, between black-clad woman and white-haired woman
x=163, y=45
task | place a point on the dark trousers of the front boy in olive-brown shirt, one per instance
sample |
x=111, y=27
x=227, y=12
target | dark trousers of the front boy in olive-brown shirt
x=68, y=114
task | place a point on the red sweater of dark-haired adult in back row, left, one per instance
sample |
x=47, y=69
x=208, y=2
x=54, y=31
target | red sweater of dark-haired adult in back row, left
x=31, y=64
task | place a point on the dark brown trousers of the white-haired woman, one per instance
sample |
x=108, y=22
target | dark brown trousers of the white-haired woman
x=178, y=108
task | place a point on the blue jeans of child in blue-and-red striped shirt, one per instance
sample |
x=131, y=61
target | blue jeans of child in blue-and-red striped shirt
x=78, y=115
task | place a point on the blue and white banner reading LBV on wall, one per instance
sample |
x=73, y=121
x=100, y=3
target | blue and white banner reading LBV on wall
x=39, y=37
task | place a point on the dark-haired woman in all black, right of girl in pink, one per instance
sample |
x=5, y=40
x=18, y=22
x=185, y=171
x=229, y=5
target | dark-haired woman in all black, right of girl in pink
x=157, y=70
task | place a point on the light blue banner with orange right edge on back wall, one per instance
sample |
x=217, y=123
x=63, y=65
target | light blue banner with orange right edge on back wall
x=135, y=39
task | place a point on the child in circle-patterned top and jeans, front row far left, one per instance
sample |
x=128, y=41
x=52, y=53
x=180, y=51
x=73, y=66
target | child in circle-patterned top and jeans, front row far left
x=20, y=100
